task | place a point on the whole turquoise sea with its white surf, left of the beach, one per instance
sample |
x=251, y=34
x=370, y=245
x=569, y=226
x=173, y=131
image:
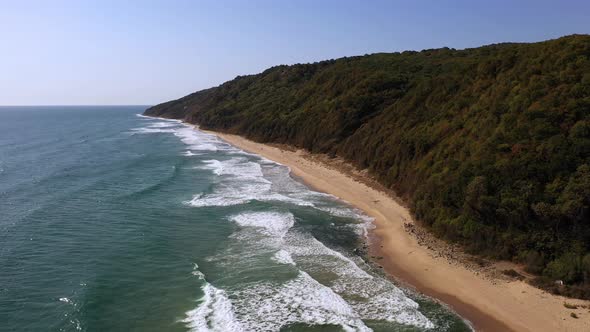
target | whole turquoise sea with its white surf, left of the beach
x=110, y=221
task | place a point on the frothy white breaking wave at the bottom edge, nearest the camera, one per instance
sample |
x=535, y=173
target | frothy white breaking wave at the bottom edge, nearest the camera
x=266, y=307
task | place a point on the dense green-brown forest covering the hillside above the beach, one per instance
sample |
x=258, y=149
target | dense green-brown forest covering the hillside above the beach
x=490, y=146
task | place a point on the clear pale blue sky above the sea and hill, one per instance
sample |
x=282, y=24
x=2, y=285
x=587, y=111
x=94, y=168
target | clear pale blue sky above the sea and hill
x=144, y=52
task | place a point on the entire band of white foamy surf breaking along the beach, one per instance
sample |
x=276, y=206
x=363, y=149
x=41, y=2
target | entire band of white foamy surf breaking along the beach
x=347, y=293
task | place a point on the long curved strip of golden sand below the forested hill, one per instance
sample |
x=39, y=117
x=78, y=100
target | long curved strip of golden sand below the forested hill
x=490, y=304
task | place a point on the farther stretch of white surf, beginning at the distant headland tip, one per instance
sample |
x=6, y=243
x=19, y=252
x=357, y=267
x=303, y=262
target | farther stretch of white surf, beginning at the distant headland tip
x=248, y=180
